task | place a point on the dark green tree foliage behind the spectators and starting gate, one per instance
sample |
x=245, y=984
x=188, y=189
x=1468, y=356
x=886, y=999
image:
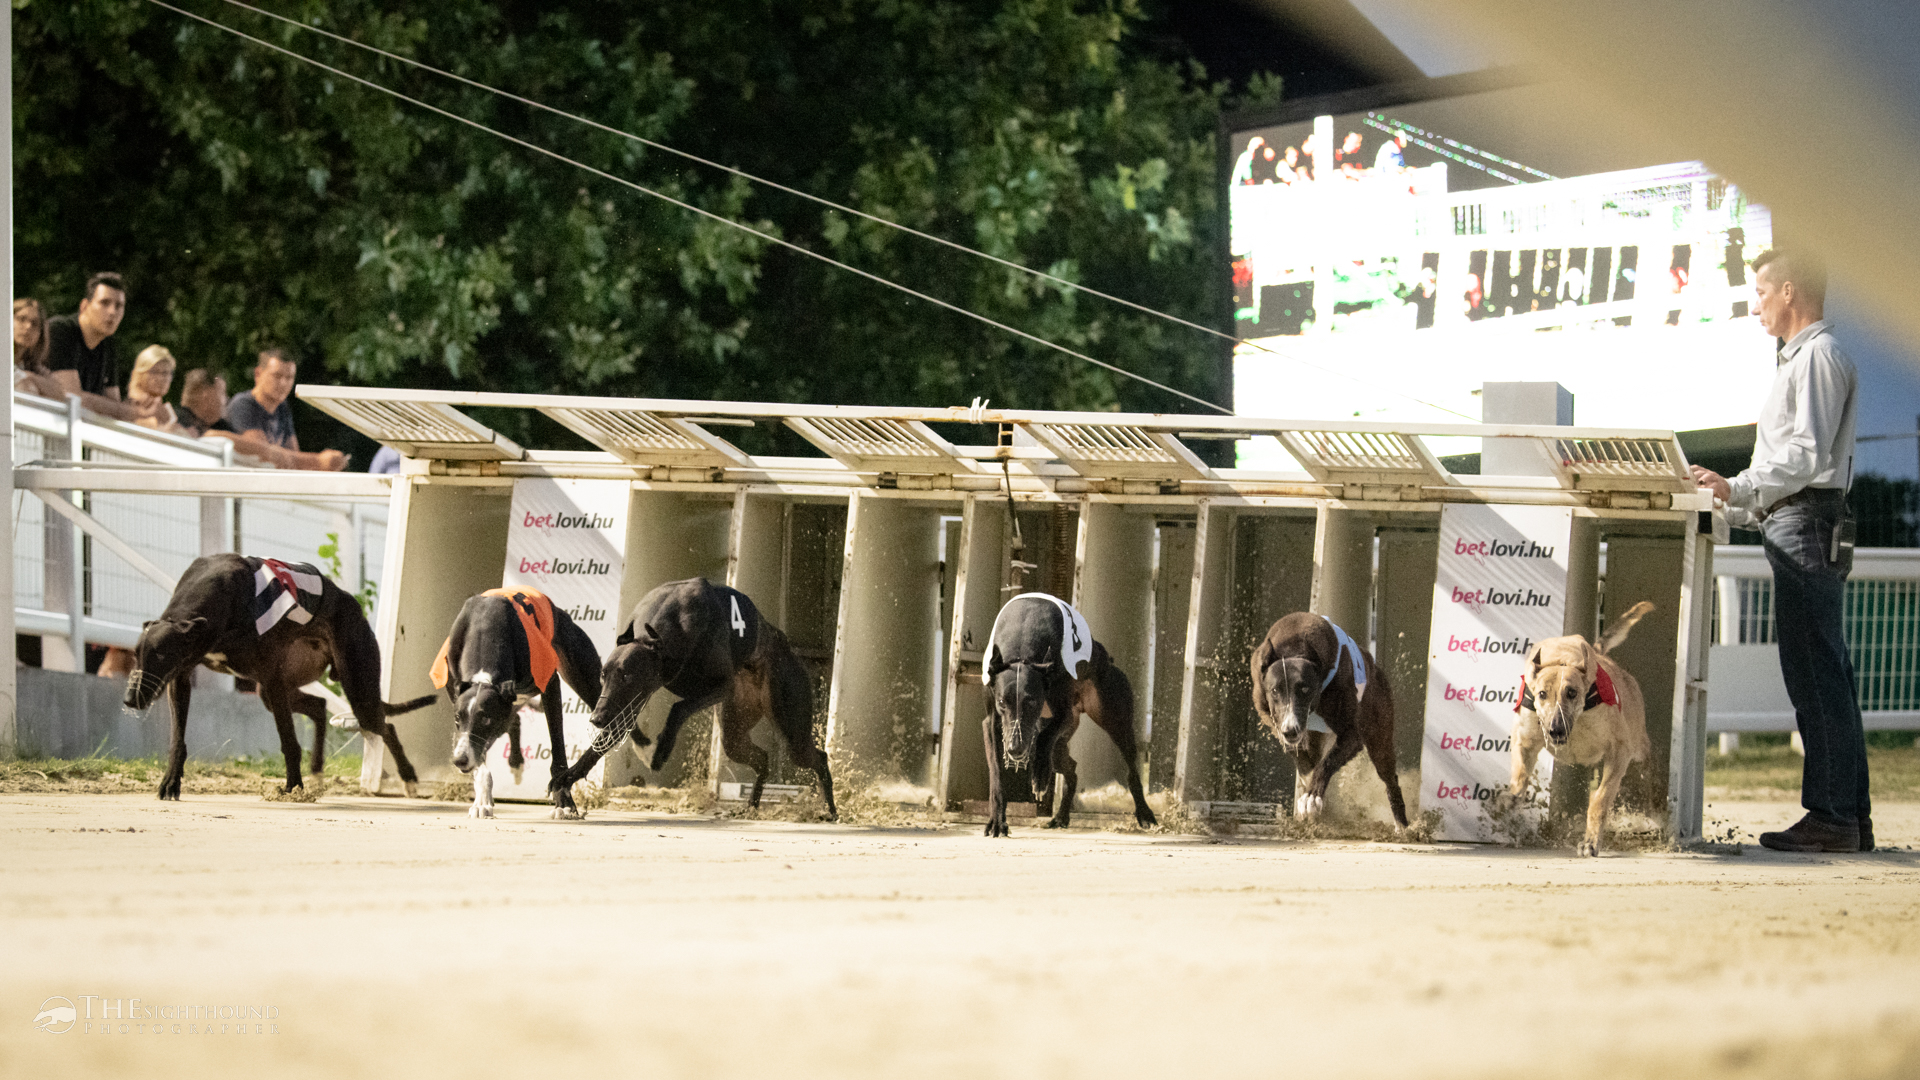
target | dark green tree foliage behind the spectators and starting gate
x=252, y=199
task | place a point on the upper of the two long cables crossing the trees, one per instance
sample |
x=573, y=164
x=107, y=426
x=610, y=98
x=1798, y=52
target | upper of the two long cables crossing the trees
x=823, y=201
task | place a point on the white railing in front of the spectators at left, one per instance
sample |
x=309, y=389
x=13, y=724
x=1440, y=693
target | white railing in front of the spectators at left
x=55, y=560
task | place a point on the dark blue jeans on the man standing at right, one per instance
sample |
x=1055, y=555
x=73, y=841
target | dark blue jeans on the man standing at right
x=1810, y=606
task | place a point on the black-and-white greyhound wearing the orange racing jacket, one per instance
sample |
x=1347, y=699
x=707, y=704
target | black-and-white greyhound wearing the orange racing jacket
x=508, y=649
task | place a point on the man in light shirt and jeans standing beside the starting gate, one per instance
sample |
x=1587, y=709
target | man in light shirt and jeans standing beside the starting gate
x=1798, y=493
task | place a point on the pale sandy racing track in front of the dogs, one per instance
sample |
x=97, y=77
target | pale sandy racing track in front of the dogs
x=404, y=939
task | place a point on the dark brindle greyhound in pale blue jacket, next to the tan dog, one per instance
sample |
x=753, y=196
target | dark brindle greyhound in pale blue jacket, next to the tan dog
x=1308, y=668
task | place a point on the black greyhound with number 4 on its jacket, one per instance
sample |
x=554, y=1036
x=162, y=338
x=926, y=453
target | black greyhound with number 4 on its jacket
x=708, y=645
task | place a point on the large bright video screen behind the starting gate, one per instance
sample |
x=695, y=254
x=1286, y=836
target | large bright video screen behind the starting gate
x=1389, y=262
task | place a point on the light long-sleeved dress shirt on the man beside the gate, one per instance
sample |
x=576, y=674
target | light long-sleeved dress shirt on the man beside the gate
x=1806, y=430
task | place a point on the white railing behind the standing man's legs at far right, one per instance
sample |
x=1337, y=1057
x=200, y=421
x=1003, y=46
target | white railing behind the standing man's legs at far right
x=1883, y=637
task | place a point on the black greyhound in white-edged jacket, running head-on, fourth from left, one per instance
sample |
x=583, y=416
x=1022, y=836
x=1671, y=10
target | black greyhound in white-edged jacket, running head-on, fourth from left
x=1044, y=672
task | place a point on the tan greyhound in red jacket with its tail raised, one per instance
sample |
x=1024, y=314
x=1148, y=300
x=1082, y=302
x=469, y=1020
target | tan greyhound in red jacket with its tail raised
x=1583, y=708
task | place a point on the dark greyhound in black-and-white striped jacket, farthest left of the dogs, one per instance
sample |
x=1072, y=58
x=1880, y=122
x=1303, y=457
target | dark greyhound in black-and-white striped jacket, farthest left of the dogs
x=279, y=626
